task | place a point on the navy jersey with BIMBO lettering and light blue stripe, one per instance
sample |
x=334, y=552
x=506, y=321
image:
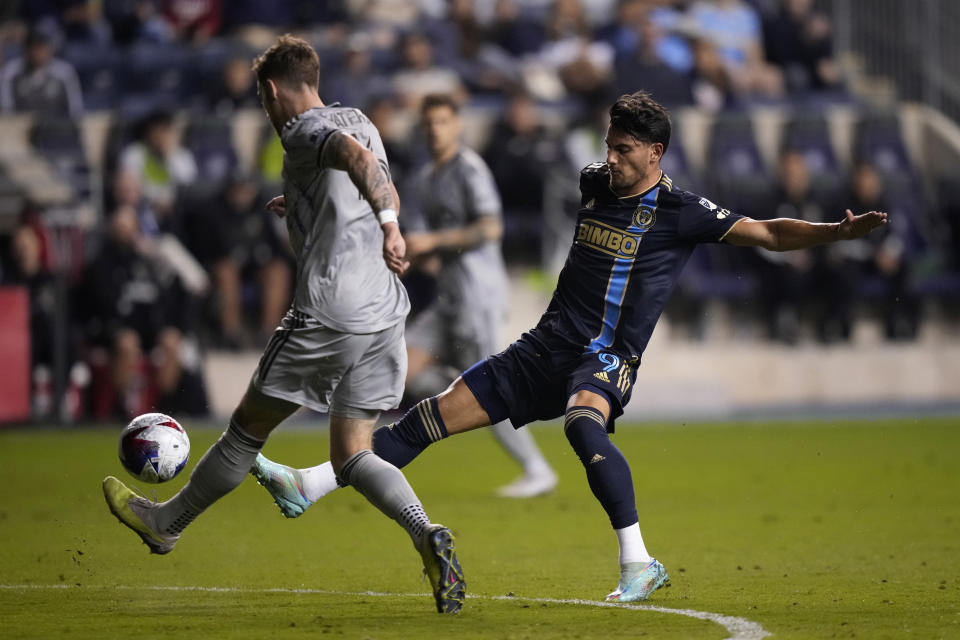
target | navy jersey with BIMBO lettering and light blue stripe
x=626, y=258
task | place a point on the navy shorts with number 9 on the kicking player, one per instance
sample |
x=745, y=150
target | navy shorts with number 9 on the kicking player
x=535, y=376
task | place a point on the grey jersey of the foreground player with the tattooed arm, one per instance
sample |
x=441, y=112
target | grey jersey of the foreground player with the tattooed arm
x=342, y=279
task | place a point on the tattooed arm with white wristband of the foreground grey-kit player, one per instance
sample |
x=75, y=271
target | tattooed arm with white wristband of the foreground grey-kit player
x=343, y=152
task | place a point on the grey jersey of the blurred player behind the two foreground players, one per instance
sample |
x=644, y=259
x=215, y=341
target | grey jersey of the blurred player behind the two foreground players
x=456, y=194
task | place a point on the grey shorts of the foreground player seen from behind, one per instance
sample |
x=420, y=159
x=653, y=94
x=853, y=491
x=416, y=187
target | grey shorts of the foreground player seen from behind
x=354, y=375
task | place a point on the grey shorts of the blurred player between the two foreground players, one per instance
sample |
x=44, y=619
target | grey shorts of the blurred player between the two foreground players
x=456, y=338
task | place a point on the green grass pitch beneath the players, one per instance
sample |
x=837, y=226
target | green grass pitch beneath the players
x=810, y=530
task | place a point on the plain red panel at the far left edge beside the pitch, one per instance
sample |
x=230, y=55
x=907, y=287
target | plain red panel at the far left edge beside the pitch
x=14, y=354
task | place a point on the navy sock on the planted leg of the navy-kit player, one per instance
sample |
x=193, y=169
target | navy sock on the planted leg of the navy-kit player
x=607, y=470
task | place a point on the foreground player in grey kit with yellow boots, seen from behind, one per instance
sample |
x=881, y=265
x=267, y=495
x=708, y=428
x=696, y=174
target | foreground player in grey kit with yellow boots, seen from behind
x=340, y=348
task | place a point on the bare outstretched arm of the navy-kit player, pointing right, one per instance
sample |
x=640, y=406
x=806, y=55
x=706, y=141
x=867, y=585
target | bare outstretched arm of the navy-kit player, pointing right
x=787, y=234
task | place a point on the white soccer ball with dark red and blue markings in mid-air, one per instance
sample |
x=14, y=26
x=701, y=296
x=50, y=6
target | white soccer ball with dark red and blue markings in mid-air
x=154, y=447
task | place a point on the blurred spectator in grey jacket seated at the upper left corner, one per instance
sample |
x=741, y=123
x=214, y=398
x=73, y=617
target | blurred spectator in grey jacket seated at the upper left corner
x=39, y=83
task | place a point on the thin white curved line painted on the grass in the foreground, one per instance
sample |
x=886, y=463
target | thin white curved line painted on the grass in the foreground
x=739, y=628
